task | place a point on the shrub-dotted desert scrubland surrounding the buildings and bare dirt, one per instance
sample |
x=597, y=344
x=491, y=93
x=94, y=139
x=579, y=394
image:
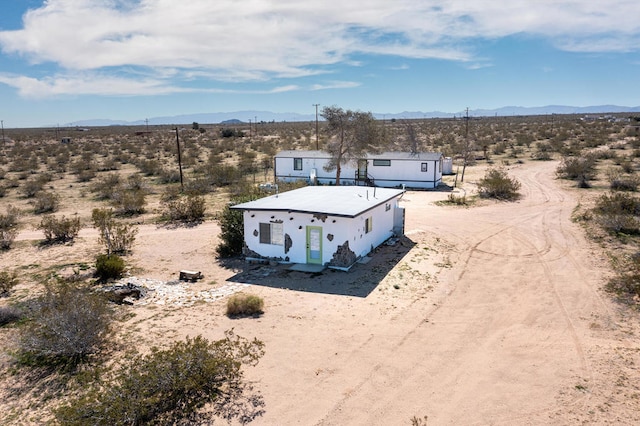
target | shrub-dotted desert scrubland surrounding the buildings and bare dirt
x=115, y=179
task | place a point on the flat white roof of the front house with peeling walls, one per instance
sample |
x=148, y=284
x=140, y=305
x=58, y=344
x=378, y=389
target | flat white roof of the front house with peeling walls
x=345, y=201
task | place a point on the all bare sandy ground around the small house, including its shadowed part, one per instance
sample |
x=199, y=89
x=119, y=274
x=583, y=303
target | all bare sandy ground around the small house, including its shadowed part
x=492, y=314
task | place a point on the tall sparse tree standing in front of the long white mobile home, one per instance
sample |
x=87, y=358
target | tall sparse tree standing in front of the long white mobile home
x=352, y=134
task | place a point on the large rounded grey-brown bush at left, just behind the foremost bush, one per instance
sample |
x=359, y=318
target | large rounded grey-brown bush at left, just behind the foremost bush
x=69, y=324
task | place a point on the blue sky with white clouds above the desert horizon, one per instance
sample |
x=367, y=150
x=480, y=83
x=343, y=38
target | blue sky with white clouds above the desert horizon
x=69, y=60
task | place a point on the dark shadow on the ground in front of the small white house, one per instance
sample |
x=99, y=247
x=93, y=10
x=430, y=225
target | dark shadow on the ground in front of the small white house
x=360, y=281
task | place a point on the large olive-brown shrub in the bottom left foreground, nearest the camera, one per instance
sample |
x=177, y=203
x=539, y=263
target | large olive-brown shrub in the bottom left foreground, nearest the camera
x=190, y=382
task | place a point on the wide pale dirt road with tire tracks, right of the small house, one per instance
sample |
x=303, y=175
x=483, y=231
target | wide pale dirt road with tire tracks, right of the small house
x=515, y=331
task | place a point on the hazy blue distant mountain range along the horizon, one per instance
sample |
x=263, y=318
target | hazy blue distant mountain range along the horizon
x=268, y=116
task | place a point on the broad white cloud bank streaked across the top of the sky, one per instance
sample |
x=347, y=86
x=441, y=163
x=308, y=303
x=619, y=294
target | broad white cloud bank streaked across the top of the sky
x=256, y=40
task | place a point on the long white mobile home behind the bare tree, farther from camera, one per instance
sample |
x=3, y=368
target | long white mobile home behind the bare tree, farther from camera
x=390, y=169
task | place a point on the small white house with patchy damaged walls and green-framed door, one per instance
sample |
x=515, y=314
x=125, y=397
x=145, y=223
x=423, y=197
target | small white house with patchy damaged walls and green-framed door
x=323, y=225
